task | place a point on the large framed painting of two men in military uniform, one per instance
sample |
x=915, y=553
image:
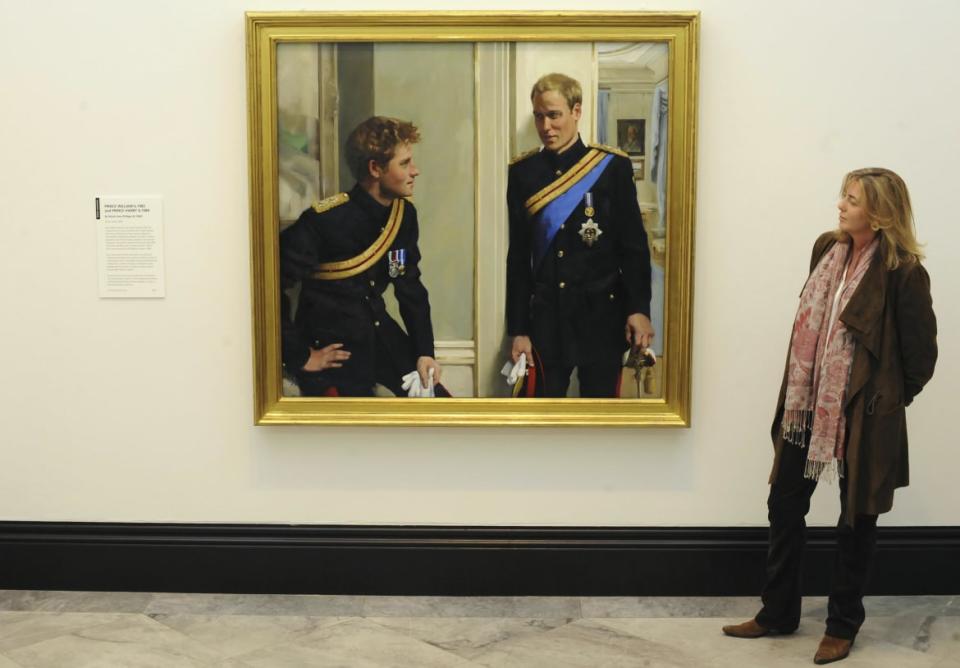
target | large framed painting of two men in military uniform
x=428, y=198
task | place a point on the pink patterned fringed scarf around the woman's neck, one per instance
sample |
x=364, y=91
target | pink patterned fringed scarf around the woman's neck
x=819, y=365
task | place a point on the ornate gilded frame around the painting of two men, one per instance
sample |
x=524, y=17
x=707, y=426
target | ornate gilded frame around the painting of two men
x=264, y=31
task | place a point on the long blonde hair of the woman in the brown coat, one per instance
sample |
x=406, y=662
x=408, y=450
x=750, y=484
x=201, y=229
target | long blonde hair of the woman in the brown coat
x=887, y=203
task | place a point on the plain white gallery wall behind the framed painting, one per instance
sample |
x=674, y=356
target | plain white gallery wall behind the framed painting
x=141, y=410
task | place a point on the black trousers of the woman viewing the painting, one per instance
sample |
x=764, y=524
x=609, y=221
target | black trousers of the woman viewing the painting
x=787, y=505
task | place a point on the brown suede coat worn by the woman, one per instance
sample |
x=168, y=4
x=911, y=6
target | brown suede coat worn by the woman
x=891, y=318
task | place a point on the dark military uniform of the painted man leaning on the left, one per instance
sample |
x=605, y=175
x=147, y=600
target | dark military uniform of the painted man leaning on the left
x=351, y=310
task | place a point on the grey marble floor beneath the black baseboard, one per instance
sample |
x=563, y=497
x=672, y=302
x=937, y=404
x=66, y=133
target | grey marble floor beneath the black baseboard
x=64, y=629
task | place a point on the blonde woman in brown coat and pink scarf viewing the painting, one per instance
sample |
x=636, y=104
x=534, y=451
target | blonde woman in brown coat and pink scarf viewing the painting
x=864, y=344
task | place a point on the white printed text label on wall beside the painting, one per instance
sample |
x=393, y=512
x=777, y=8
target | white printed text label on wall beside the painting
x=130, y=246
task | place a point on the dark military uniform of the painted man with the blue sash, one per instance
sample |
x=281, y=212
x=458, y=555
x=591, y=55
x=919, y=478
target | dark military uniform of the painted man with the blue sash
x=574, y=305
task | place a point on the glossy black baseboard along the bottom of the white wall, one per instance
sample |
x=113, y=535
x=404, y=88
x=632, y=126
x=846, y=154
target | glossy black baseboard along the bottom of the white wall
x=456, y=561
